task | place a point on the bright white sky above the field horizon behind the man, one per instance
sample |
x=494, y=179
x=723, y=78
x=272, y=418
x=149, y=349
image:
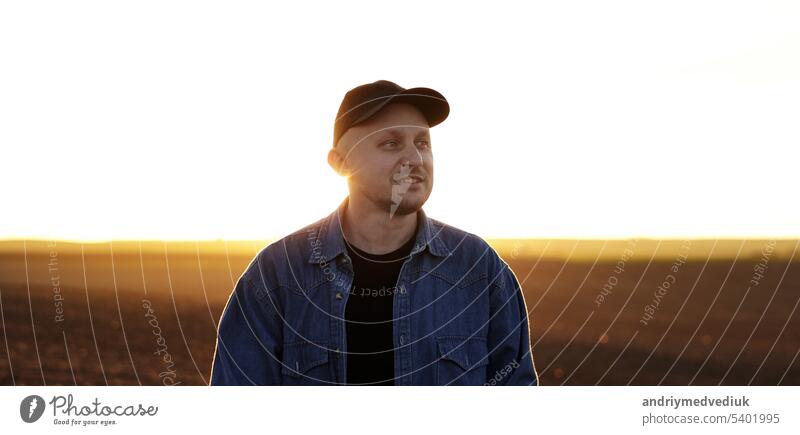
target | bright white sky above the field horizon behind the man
x=204, y=120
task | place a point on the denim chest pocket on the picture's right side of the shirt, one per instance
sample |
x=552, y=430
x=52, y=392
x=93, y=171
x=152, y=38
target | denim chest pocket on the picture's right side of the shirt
x=462, y=360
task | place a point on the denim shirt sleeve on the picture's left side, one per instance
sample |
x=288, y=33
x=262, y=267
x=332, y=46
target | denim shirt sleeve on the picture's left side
x=248, y=337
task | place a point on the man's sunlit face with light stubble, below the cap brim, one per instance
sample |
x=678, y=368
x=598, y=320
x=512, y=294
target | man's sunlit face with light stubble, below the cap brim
x=388, y=159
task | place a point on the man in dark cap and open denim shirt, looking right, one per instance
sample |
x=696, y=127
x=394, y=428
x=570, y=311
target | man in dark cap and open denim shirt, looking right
x=377, y=293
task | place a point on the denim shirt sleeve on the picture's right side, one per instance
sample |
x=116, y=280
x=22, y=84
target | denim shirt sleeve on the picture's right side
x=510, y=357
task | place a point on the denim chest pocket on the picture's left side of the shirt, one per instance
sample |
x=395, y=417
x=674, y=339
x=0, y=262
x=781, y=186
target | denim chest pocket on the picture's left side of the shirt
x=306, y=363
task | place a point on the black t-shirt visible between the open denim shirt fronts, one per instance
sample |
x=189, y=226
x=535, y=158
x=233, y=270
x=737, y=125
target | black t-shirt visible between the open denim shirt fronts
x=369, y=315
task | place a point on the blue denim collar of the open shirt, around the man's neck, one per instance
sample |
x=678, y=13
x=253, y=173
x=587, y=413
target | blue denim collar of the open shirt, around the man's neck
x=332, y=238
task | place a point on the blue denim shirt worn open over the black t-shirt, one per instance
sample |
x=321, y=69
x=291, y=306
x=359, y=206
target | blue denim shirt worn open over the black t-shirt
x=459, y=313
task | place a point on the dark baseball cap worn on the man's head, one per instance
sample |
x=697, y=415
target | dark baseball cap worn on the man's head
x=362, y=102
